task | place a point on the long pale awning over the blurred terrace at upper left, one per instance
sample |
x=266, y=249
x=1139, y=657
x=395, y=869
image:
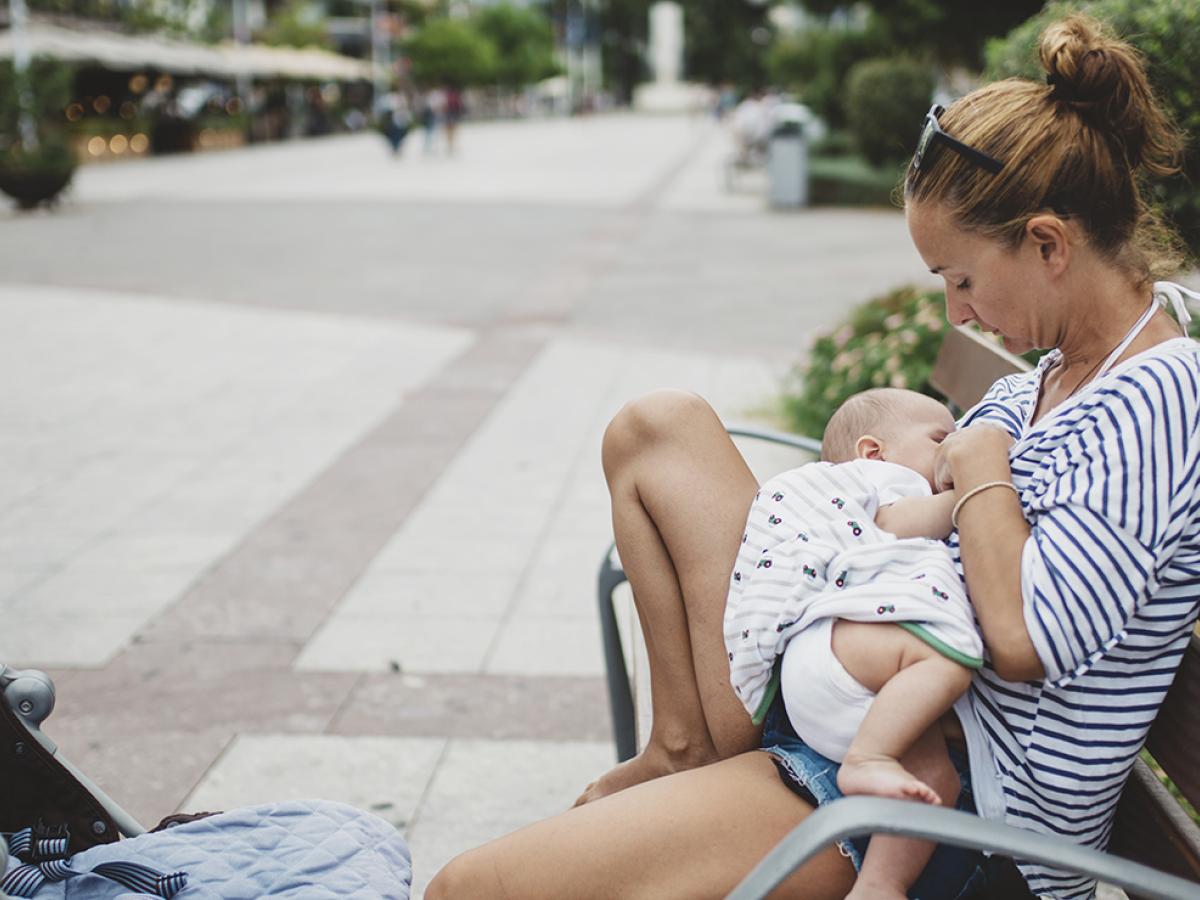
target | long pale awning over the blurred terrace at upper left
x=129, y=53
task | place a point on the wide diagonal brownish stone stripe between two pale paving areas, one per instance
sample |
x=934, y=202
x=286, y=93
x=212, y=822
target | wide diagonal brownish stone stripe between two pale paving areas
x=287, y=575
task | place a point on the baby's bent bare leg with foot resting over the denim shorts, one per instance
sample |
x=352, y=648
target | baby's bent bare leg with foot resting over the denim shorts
x=915, y=687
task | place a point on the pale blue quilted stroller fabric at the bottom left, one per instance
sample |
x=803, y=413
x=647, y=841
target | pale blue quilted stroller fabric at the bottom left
x=301, y=849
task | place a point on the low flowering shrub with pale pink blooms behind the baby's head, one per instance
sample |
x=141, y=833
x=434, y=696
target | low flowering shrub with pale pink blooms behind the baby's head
x=890, y=341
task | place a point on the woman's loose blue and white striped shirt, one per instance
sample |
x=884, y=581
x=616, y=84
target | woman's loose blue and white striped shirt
x=1111, y=577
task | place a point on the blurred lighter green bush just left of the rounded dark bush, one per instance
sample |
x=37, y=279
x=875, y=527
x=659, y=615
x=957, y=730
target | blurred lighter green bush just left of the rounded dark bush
x=813, y=65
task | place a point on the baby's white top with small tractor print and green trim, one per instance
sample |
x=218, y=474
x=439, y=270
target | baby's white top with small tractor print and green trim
x=812, y=553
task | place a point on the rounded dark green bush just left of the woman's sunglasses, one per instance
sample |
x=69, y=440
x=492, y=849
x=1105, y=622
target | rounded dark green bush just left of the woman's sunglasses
x=885, y=103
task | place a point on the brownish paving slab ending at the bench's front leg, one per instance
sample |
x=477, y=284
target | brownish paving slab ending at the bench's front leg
x=478, y=707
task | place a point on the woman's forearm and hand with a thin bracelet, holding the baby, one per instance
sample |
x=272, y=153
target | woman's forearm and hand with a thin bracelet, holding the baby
x=992, y=536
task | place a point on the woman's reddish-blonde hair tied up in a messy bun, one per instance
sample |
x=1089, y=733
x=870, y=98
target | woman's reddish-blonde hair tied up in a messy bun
x=1076, y=146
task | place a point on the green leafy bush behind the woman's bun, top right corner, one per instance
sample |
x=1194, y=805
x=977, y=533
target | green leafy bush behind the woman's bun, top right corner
x=1168, y=34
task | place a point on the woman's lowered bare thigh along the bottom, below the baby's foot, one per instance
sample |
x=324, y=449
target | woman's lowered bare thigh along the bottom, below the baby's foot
x=694, y=835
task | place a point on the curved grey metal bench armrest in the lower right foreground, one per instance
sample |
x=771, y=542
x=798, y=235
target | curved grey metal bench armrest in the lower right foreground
x=856, y=817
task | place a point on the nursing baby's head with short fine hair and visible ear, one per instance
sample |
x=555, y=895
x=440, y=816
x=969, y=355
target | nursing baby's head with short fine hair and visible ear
x=889, y=424
